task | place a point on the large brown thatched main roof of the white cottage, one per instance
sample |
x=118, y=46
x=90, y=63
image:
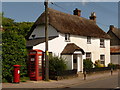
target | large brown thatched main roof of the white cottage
x=72, y=24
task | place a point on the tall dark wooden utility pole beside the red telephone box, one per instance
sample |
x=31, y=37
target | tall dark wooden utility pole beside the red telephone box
x=46, y=42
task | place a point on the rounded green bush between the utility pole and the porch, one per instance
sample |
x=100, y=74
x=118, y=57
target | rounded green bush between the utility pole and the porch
x=57, y=64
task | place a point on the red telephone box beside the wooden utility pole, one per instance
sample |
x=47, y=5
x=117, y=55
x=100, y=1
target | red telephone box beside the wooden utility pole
x=36, y=65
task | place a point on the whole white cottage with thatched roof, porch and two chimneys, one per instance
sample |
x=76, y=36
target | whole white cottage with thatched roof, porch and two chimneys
x=71, y=36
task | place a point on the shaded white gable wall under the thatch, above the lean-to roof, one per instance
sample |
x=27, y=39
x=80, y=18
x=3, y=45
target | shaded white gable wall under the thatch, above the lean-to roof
x=39, y=31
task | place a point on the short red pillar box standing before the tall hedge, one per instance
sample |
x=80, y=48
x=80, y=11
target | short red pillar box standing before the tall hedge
x=16, y=78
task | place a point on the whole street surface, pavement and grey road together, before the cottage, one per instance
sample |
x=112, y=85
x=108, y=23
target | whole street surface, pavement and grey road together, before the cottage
x=96, y=81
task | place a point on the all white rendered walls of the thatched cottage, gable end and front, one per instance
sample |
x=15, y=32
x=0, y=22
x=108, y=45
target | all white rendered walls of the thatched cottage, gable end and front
x=57, y=45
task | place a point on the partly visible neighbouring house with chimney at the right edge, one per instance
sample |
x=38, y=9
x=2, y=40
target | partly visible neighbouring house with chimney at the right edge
x=114, y=44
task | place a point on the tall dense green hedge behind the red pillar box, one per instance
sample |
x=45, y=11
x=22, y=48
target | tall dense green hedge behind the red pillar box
x=14, y=52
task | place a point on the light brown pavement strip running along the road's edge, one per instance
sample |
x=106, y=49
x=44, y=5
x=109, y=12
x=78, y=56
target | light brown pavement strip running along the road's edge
x=61, y=83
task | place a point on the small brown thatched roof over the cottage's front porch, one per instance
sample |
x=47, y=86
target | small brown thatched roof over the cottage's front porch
x=70, y=48
